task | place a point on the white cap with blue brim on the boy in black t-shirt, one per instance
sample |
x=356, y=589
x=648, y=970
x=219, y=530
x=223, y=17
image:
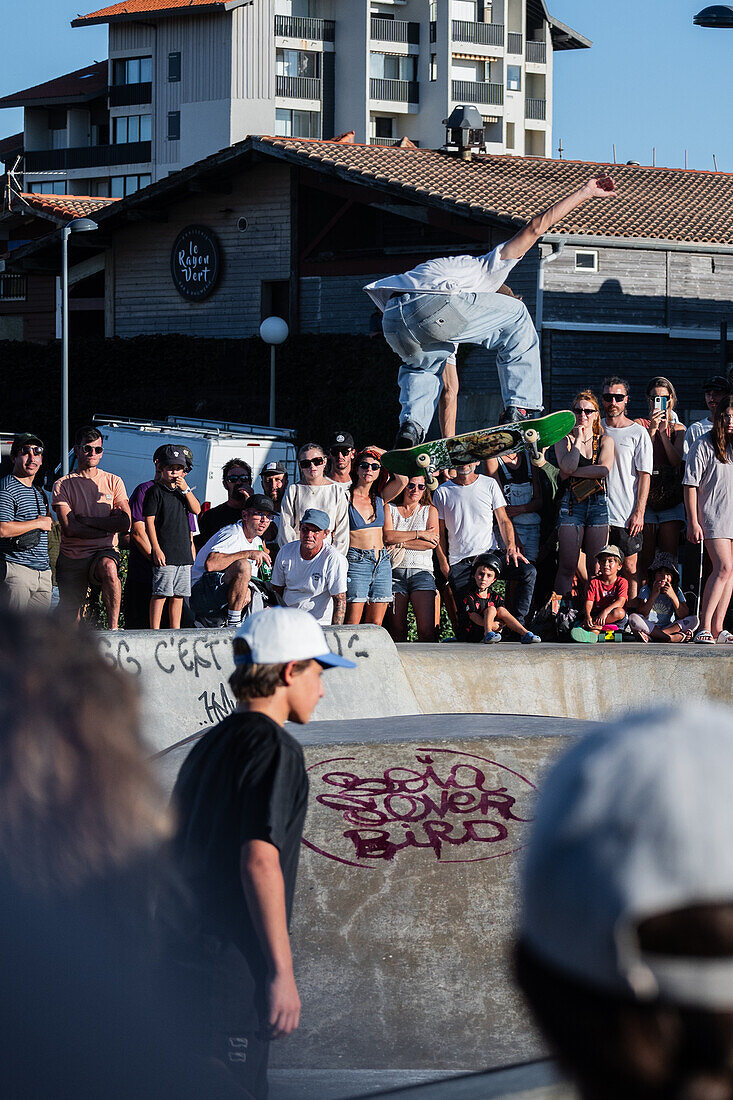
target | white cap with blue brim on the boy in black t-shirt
x=286, y=634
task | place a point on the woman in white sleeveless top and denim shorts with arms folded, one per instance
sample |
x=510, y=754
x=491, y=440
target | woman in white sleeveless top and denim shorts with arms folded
x=415, y=522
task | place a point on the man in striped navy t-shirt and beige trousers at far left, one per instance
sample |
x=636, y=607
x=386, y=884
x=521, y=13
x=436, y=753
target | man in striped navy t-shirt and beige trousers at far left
x=25, y=526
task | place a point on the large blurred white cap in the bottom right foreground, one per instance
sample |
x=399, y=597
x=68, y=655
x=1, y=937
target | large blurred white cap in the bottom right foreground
x=634, y=822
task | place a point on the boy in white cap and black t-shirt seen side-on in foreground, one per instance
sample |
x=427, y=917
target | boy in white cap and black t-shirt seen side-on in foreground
x=242, y=799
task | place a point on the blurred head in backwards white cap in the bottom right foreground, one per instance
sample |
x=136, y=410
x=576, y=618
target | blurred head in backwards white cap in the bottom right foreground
x=626, y=944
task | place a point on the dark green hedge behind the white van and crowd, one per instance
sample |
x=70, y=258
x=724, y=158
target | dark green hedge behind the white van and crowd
x=324, y=383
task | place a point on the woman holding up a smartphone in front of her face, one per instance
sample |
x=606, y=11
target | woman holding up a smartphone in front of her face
x=665, y=511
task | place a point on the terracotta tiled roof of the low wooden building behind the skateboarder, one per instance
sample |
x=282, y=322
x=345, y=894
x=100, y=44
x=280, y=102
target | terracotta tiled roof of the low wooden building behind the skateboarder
x=666, y=204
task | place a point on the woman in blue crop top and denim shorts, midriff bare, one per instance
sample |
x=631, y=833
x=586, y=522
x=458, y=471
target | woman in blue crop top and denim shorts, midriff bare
x=369, y=582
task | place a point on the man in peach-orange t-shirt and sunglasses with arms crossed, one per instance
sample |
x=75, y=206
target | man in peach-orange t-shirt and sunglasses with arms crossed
x=93, y=511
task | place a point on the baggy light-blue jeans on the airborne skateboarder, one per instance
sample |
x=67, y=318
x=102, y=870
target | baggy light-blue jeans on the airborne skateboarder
x=424, y=331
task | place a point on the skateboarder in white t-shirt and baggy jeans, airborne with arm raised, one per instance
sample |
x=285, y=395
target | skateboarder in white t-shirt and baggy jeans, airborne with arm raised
x=443, y=303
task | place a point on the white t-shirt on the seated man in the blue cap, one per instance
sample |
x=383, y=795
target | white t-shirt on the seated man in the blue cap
x=311, y=585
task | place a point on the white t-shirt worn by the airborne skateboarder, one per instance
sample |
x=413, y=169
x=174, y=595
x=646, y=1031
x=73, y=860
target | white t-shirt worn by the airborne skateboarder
x=446, y=276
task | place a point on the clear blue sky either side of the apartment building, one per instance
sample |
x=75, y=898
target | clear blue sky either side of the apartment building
x=652, y=78
